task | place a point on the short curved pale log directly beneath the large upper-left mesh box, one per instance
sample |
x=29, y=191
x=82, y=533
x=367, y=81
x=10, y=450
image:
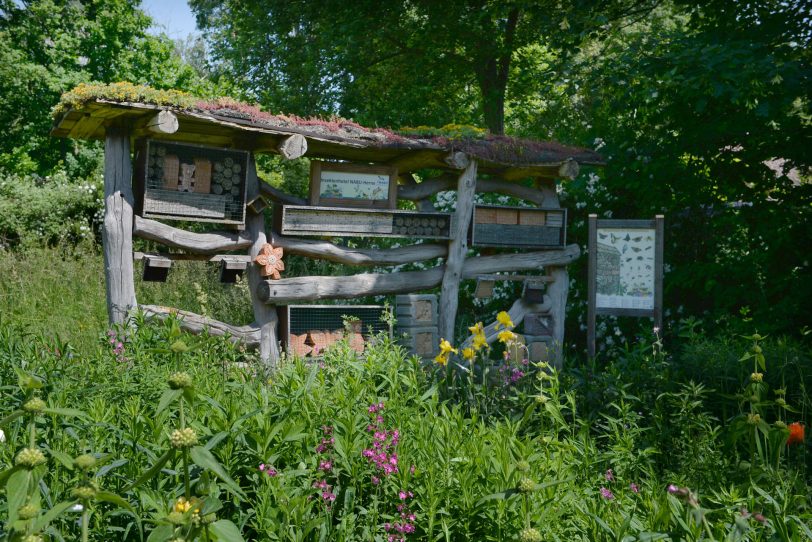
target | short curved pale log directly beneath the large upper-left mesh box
x=201, y=243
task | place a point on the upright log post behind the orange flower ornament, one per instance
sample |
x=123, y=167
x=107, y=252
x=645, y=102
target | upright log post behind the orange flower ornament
x=264, y=315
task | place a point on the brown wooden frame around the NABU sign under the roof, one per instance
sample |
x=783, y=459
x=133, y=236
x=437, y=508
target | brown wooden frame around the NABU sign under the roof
x=318, y=168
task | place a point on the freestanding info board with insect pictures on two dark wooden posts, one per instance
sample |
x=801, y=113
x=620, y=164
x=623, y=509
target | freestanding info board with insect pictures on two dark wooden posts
x=625, y=270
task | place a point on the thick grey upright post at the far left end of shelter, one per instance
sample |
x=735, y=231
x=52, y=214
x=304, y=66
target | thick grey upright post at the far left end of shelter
x=118, y=225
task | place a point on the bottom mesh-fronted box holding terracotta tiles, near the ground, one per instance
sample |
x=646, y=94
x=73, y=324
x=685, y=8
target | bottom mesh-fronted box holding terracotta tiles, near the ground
x=308, y=329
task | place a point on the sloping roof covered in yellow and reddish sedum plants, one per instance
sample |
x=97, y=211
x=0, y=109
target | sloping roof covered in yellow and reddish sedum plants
x=85, y=111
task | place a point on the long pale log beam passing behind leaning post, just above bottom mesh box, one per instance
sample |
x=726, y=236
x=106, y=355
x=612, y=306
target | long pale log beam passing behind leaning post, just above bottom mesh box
x=299, y=289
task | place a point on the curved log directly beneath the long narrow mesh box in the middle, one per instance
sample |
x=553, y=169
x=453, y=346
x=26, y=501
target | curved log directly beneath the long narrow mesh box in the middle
x=324, y=250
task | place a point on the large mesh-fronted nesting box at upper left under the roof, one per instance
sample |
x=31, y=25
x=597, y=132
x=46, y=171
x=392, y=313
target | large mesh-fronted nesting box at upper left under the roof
x=192, y=182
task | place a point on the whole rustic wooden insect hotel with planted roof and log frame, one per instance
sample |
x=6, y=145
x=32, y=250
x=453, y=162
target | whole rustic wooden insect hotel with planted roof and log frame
x=193, y=161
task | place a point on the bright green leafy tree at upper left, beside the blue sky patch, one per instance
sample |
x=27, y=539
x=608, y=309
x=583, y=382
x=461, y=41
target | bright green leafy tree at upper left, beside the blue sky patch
x=49, y=46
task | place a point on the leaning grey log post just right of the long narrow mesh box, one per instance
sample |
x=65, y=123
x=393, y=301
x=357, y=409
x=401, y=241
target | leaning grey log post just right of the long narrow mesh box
x=457, y=247
